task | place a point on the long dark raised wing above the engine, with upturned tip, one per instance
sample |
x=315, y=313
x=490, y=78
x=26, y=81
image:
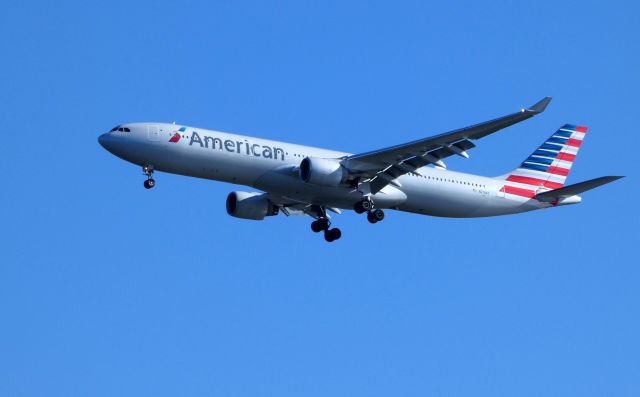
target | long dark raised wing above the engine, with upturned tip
x=381, y=167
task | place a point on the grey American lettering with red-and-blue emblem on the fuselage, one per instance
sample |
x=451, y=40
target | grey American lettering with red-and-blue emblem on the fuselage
x=244, y=146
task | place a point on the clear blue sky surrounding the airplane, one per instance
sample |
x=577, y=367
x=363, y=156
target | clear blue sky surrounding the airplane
x=108, y=289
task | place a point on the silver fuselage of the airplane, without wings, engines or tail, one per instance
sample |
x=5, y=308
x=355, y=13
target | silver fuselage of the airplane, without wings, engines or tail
x=272, y=166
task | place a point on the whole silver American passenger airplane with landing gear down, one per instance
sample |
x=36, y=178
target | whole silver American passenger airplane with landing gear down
x=411, y=177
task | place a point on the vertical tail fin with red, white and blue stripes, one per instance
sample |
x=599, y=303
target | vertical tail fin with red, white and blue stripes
x=549, y=166
